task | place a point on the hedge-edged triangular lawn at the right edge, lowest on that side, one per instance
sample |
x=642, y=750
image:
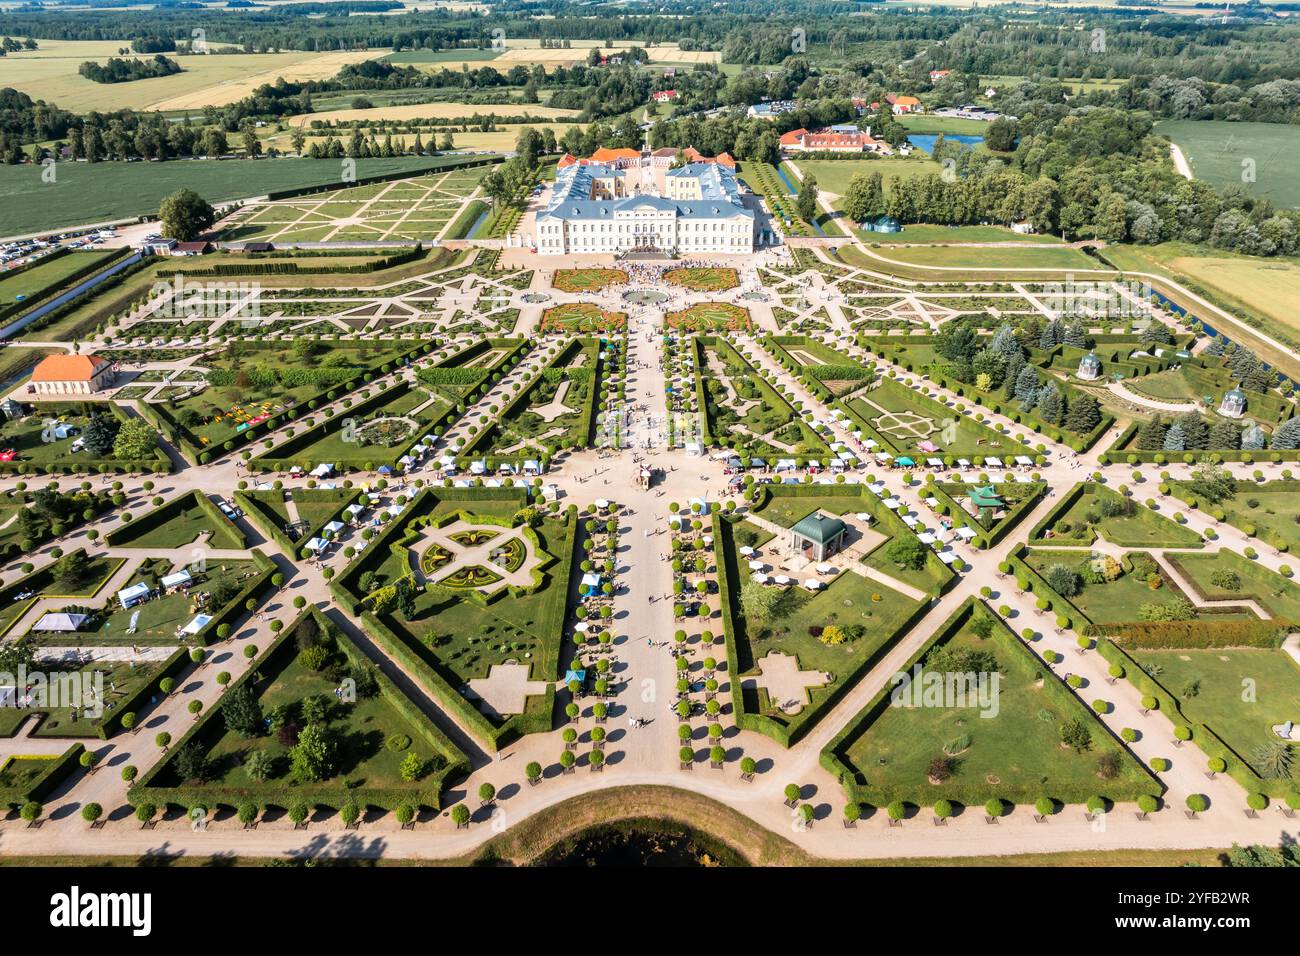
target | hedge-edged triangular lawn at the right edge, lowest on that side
x=1211, y=685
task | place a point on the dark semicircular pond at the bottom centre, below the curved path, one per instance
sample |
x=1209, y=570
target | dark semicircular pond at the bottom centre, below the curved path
x=640, y=843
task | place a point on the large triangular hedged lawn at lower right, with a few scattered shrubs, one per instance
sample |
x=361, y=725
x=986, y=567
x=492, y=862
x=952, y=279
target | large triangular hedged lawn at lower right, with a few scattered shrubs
x=1016, y=755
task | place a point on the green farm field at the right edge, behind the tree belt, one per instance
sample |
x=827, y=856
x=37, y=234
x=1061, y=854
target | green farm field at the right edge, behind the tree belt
x=1217, y=149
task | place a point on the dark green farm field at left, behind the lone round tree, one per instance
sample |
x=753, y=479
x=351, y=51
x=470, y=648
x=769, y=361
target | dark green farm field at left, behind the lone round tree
x=105, y=192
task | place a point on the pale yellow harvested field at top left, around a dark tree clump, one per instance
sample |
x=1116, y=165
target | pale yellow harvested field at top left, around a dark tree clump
x=50, y=75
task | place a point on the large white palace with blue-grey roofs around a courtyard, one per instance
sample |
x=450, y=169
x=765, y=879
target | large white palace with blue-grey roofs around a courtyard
x=629, y=201
